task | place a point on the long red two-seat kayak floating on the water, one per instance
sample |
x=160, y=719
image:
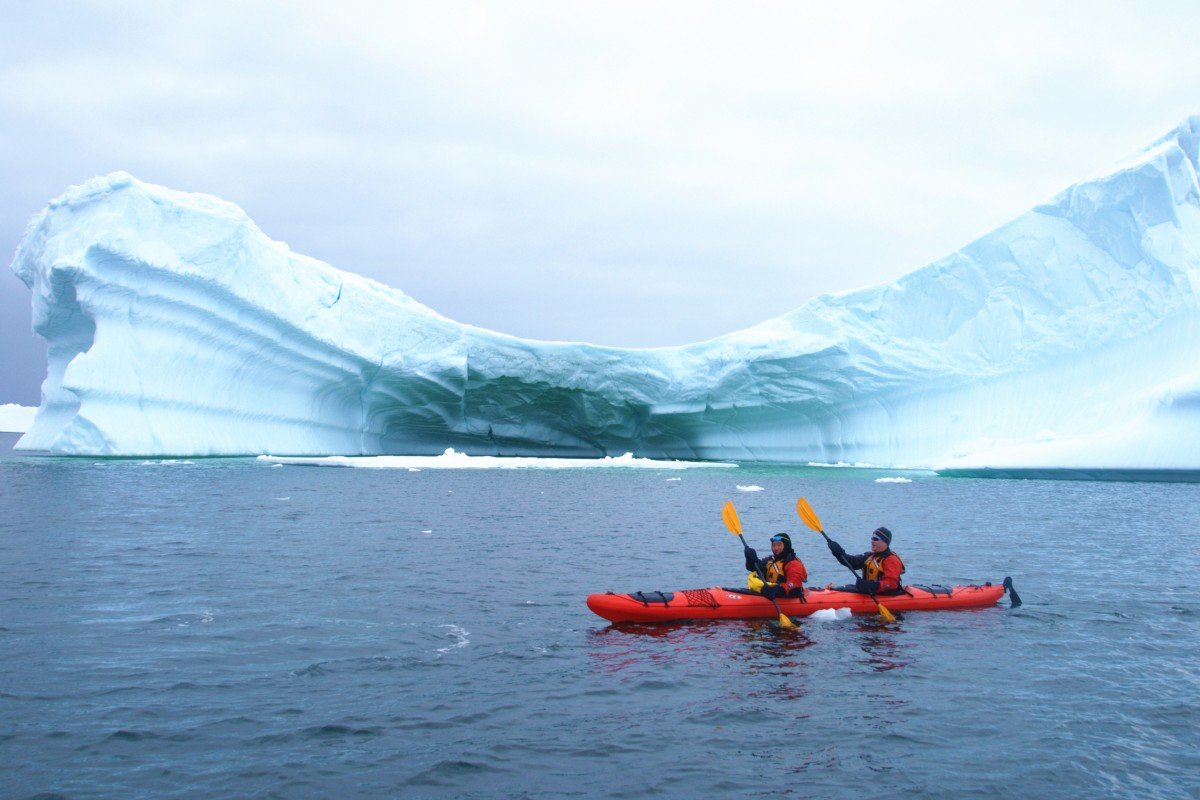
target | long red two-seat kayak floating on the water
x=740, y=604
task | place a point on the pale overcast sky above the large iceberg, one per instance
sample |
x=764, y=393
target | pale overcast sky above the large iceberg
x=631, y=175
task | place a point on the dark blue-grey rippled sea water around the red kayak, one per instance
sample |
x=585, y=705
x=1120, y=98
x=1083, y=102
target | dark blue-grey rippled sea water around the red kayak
x=226, y=629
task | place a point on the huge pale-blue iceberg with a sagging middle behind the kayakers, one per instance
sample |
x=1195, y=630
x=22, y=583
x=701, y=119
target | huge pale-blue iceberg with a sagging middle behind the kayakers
x=1066, y=339
